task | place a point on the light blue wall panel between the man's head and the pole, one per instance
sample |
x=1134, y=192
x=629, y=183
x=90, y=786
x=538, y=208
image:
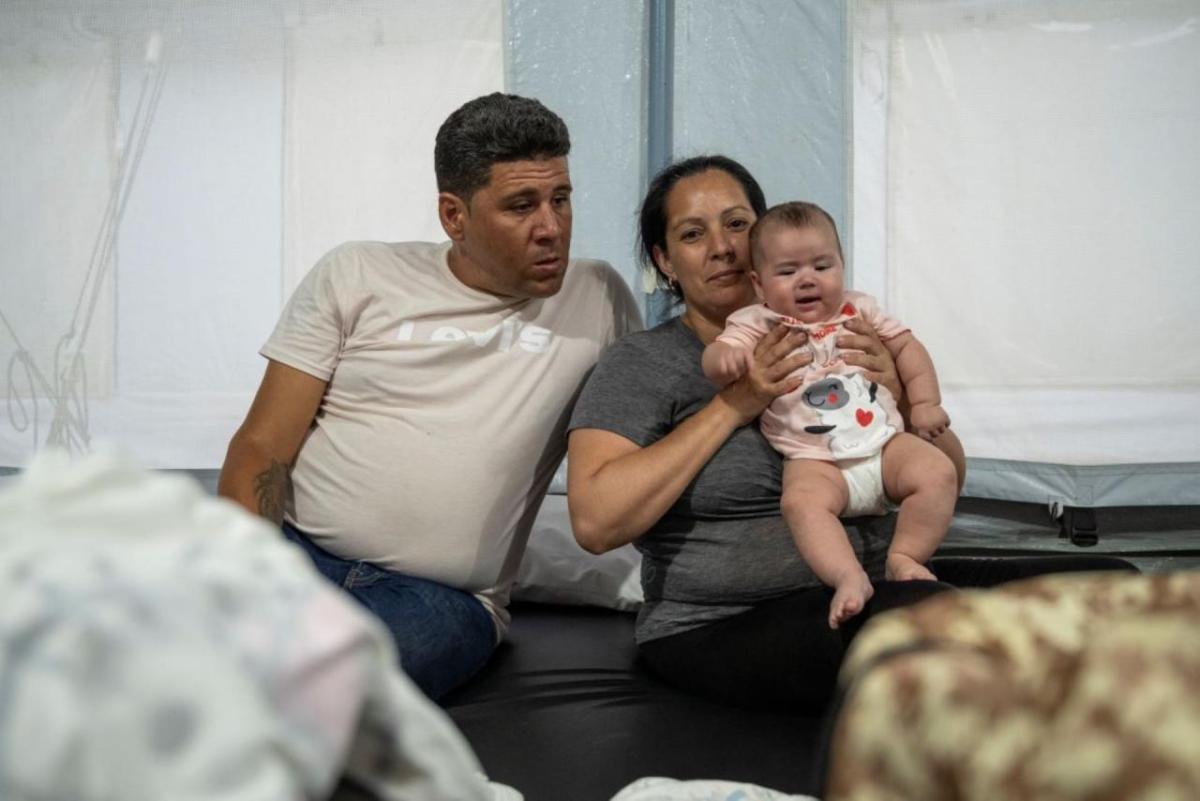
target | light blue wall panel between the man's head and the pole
x=586, y=62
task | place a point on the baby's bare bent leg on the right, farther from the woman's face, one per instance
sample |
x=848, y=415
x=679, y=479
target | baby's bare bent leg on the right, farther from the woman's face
x=925, y=481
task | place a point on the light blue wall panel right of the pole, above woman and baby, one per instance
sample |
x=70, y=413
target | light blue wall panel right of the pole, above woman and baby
x=765, y=82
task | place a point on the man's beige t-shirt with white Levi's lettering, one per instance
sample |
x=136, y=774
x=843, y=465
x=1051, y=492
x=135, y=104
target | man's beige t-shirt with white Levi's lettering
x=446, y=412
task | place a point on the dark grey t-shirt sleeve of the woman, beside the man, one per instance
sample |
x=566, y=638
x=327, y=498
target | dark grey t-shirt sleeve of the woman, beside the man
x=626, y=395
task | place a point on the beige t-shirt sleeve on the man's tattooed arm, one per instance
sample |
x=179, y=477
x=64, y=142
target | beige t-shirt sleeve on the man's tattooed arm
x=310, y=333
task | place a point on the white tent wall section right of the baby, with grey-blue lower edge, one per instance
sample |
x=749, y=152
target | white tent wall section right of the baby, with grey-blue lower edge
x=1028, y=197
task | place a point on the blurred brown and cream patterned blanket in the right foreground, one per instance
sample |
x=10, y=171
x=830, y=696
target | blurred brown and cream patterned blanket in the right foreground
x=1057, y=689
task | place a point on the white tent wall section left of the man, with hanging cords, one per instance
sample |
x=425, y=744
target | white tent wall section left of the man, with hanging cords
x=279, y=129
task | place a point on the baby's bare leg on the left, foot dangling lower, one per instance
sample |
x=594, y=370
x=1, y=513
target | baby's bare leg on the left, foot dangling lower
x=814, y=496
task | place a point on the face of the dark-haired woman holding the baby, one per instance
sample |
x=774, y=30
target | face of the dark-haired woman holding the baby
x=707, y=244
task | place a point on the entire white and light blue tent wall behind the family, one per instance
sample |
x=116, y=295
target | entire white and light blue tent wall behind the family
x=907, y=119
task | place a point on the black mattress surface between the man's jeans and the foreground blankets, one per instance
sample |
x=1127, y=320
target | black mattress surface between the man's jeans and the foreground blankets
x=566, y=713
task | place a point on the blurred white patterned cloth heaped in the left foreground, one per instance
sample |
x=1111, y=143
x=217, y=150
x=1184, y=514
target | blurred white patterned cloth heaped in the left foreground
x=157, y=643
